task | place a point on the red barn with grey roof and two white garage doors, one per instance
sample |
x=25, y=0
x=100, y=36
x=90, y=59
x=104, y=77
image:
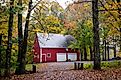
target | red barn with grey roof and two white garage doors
x=53, y=47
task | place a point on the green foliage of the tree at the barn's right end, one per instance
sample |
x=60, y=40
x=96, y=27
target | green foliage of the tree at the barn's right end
x=84, y=36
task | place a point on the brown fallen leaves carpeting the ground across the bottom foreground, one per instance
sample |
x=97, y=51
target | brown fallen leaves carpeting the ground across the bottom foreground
x=73, y=75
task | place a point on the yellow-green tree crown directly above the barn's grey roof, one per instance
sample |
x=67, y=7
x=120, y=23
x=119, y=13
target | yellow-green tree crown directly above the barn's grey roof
x=47, y=20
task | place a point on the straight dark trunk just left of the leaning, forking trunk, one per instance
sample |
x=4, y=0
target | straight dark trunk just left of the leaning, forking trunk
x=20, y=39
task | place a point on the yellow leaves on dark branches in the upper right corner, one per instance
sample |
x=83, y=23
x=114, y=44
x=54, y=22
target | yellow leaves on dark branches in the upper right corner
x=110, y=17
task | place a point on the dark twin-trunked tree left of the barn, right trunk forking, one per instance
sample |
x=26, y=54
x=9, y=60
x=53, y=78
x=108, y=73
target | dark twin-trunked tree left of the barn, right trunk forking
x=23, y=39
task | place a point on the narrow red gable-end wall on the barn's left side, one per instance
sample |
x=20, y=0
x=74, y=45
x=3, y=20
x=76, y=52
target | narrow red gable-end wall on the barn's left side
x=36, y=50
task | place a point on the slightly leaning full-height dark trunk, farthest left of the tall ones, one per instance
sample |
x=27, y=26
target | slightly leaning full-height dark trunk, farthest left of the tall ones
x=9, y=43
